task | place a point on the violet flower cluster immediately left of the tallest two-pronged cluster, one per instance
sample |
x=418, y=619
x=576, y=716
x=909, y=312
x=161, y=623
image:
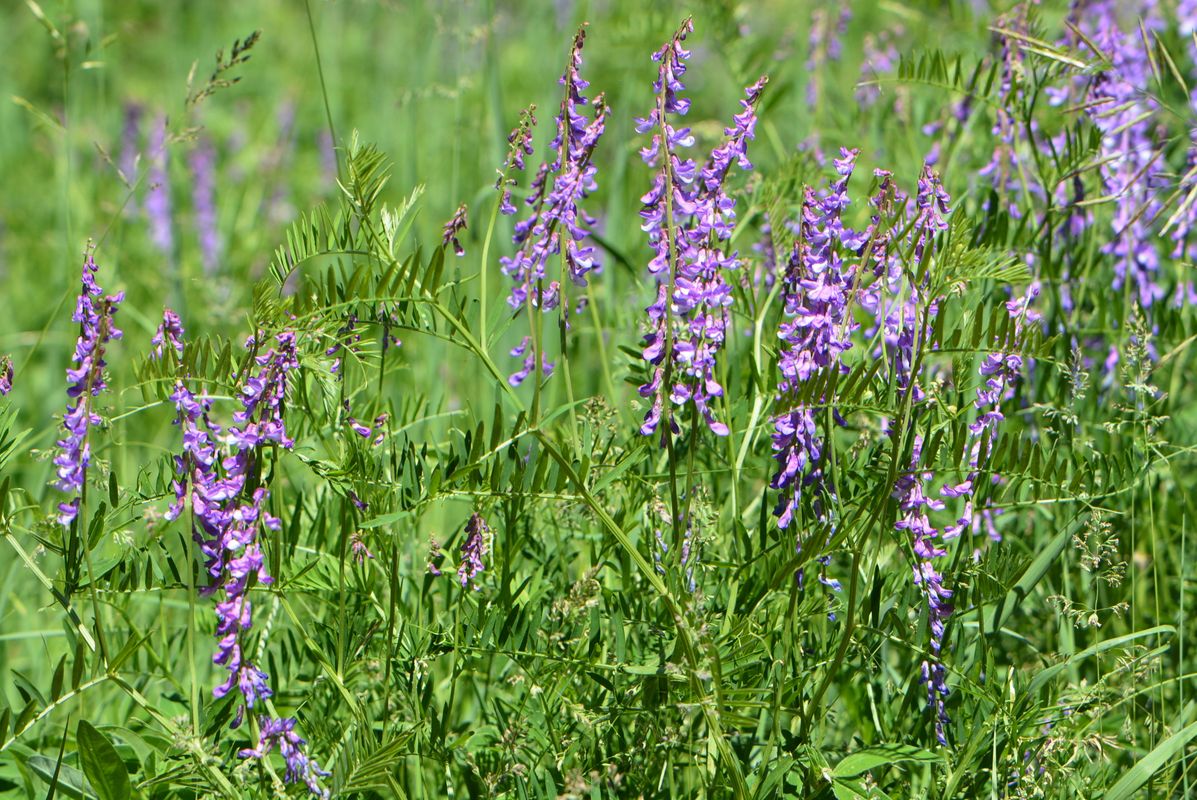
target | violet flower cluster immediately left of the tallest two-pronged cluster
x=556, y=226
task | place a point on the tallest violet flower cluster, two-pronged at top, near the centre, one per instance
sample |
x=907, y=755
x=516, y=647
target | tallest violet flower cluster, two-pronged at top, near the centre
x=689, y=216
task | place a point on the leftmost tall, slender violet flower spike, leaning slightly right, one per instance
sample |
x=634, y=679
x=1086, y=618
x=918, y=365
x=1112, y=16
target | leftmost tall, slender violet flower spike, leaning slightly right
x=94, y=313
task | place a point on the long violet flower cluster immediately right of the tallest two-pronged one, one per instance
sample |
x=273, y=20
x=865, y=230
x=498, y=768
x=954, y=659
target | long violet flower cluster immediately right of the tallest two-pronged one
x=816, y=334
